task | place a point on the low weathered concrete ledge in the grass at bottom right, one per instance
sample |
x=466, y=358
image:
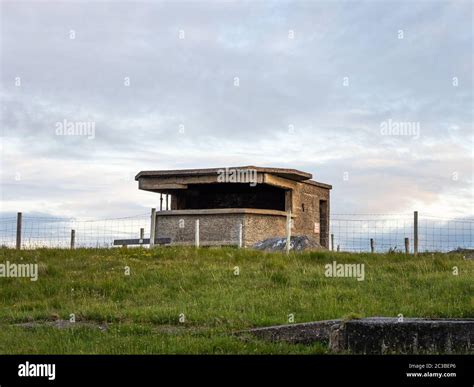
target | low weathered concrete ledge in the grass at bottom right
x=380, y=335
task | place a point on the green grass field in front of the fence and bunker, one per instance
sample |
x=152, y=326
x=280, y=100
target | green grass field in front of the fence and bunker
x=142, y=310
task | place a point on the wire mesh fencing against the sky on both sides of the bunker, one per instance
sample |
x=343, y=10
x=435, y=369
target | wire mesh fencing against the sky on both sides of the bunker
x=349, y=232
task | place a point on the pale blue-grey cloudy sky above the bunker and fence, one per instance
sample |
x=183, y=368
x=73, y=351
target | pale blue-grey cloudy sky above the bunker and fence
x=310, y=85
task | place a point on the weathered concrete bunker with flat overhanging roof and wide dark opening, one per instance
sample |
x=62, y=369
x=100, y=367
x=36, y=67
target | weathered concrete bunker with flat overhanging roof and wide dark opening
x=224, y=200
